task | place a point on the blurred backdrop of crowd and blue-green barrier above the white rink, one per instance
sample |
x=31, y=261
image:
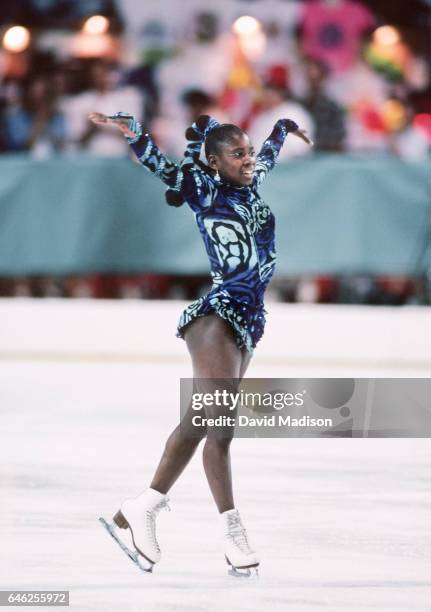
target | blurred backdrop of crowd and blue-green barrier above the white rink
x=79, y=219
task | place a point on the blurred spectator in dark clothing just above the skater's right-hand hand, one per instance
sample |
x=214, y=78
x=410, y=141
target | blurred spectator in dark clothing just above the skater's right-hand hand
x=328, y=116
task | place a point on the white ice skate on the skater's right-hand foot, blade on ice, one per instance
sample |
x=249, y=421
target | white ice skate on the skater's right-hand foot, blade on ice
x=239, y=555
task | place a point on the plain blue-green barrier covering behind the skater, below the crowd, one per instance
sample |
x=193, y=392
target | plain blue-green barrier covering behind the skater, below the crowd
x=334, y=215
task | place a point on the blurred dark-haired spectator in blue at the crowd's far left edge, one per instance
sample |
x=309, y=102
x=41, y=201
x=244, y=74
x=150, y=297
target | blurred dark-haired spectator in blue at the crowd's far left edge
x=35, y=124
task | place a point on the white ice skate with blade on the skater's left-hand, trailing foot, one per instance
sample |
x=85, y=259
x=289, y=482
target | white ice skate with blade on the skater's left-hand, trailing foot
x=139, y=516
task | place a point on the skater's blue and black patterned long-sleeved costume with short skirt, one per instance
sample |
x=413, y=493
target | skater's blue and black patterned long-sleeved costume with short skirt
x=236, y=225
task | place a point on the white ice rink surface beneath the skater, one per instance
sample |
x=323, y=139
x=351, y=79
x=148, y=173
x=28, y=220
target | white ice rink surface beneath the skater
x=341, y=524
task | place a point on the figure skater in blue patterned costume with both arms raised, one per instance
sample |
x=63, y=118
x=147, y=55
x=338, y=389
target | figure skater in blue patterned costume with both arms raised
x=222, y=328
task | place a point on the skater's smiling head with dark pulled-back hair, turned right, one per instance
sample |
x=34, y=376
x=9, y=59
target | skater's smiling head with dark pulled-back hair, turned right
x=234, y=159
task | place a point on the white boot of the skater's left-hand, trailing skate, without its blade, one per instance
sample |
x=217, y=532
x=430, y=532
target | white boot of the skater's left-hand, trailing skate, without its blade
x=139, y=515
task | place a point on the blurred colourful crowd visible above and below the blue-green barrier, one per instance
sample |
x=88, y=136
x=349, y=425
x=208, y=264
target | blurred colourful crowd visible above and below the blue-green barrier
x=355, y=85
